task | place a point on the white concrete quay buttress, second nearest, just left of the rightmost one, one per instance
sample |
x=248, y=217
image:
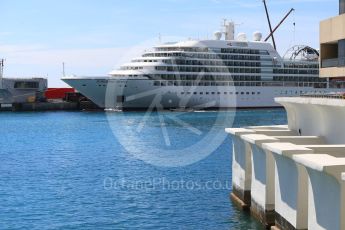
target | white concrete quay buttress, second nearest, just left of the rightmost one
x=290, y=185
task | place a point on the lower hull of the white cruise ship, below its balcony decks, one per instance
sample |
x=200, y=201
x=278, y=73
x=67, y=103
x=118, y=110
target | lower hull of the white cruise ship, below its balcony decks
x=142, y=94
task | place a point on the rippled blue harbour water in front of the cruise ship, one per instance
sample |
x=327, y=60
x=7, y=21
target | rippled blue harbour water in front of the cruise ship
x=70, y=171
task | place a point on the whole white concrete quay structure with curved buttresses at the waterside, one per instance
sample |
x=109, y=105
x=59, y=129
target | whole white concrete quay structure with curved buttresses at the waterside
x=293, y=177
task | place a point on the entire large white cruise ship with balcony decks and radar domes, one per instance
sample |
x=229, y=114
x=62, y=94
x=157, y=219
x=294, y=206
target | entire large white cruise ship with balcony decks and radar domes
x=205, y=74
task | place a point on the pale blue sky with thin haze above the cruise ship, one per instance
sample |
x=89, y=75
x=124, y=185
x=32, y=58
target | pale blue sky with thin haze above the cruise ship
x=93, y=37
